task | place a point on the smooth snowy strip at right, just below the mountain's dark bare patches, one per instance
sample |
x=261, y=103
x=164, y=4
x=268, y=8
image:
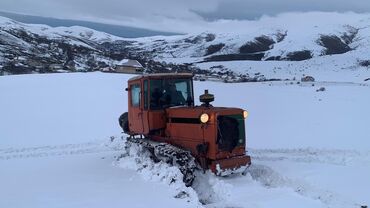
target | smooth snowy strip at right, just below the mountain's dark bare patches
x=338, y=68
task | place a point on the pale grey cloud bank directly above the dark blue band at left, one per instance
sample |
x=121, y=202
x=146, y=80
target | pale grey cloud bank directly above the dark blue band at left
x=158, y=14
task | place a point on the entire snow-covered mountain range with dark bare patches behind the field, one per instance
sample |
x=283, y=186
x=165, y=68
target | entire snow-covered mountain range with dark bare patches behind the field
x=282, y=47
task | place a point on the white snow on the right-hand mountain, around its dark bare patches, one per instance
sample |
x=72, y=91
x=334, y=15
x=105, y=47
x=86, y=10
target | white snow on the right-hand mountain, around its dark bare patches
x=298, y=32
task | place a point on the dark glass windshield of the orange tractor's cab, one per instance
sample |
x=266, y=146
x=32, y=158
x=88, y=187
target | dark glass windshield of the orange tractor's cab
x=166, y=93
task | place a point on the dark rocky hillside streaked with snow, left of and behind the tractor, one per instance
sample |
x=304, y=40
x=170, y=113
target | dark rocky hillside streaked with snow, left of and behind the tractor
x=27, y=48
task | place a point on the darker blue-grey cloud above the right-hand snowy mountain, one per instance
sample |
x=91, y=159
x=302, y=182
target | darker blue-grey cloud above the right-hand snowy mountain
x=253, y=9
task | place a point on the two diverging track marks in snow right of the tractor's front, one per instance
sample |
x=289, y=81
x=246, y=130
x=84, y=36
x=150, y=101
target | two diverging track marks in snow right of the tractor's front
x=272, y=179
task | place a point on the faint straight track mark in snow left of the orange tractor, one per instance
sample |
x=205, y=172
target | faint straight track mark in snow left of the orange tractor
x=57, y=150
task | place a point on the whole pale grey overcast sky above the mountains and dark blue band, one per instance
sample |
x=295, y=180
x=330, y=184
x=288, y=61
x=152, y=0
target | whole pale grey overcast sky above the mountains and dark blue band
x=174, y=15
